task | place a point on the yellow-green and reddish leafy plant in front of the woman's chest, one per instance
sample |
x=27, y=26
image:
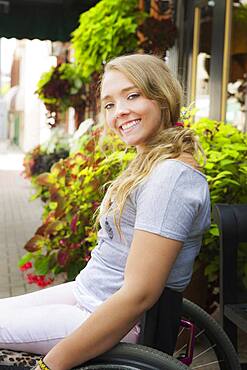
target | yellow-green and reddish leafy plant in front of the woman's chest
x=62, y=244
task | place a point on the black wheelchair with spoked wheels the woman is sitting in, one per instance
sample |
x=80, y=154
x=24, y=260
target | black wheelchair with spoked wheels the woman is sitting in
x=175, y=334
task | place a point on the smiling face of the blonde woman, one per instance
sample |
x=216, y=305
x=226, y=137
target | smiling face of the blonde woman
x=128, y=112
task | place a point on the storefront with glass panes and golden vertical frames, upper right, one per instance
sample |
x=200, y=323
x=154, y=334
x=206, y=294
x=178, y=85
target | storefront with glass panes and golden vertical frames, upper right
x=212, y=57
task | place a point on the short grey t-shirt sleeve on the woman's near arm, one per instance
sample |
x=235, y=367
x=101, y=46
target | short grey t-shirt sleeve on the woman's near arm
x=168, y=202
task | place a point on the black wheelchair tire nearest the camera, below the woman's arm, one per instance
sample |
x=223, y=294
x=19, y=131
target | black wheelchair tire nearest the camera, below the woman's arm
x=127, y=356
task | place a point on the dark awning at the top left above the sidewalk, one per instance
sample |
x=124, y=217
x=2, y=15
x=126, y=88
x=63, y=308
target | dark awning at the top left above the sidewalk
x=42, y=19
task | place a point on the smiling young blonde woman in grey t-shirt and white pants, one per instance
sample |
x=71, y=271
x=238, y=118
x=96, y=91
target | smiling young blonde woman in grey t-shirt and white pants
x=152, y=220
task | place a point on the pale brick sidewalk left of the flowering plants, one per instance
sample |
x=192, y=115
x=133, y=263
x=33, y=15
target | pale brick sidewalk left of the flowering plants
x=19, y=218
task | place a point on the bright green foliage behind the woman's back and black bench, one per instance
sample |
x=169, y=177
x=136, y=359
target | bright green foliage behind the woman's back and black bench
x=226, y=170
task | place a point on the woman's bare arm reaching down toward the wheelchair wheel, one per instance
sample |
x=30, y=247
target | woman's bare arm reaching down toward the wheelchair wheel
x=149, y=263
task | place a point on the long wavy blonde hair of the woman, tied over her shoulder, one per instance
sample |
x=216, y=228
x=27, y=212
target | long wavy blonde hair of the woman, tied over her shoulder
x=153, y=78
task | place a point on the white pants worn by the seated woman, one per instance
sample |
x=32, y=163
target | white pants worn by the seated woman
x=35, y=322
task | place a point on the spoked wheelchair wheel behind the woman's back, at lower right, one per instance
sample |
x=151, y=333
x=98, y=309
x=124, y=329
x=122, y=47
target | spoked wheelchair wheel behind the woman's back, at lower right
x=212, y=350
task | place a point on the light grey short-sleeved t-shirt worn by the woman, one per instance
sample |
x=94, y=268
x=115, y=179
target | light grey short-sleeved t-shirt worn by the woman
x=172, y=202
